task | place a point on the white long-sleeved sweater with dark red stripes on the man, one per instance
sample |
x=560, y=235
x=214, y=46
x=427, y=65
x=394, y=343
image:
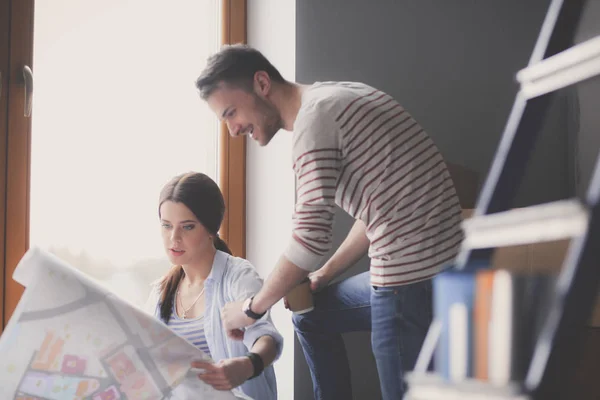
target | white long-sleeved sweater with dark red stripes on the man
x=356, y=147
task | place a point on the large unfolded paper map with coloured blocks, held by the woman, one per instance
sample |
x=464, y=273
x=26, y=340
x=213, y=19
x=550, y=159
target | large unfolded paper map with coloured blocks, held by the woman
x=71, y=338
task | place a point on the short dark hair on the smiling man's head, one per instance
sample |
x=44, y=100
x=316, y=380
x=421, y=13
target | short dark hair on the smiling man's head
x=234, y=65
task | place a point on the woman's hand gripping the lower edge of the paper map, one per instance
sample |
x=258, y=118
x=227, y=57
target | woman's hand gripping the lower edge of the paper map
x=226, y=374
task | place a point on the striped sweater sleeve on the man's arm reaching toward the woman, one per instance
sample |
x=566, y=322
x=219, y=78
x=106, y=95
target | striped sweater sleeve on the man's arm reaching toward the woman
x=317, y=165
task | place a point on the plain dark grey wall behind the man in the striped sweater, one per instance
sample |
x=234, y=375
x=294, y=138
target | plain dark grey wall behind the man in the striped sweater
x=452, y=64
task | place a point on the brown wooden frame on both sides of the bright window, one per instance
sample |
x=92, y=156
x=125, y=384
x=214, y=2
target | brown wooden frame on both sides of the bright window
x=16, y=51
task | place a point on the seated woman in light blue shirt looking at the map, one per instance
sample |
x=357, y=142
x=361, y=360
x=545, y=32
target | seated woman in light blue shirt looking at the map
x=205, y=277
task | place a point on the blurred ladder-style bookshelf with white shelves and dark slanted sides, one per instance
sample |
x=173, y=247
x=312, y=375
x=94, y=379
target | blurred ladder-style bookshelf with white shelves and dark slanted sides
x=554, y=64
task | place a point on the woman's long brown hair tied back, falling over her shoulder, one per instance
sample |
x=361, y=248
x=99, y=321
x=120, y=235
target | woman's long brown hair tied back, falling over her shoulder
x=202, y=196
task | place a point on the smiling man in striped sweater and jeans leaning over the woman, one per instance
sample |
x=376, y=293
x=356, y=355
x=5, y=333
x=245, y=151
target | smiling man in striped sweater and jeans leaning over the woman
x=356, y=147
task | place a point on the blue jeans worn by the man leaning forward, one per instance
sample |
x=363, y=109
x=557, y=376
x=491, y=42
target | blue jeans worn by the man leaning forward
x=398, y=318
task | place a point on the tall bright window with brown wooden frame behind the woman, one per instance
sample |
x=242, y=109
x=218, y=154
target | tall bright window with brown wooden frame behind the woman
x=115, y=115
